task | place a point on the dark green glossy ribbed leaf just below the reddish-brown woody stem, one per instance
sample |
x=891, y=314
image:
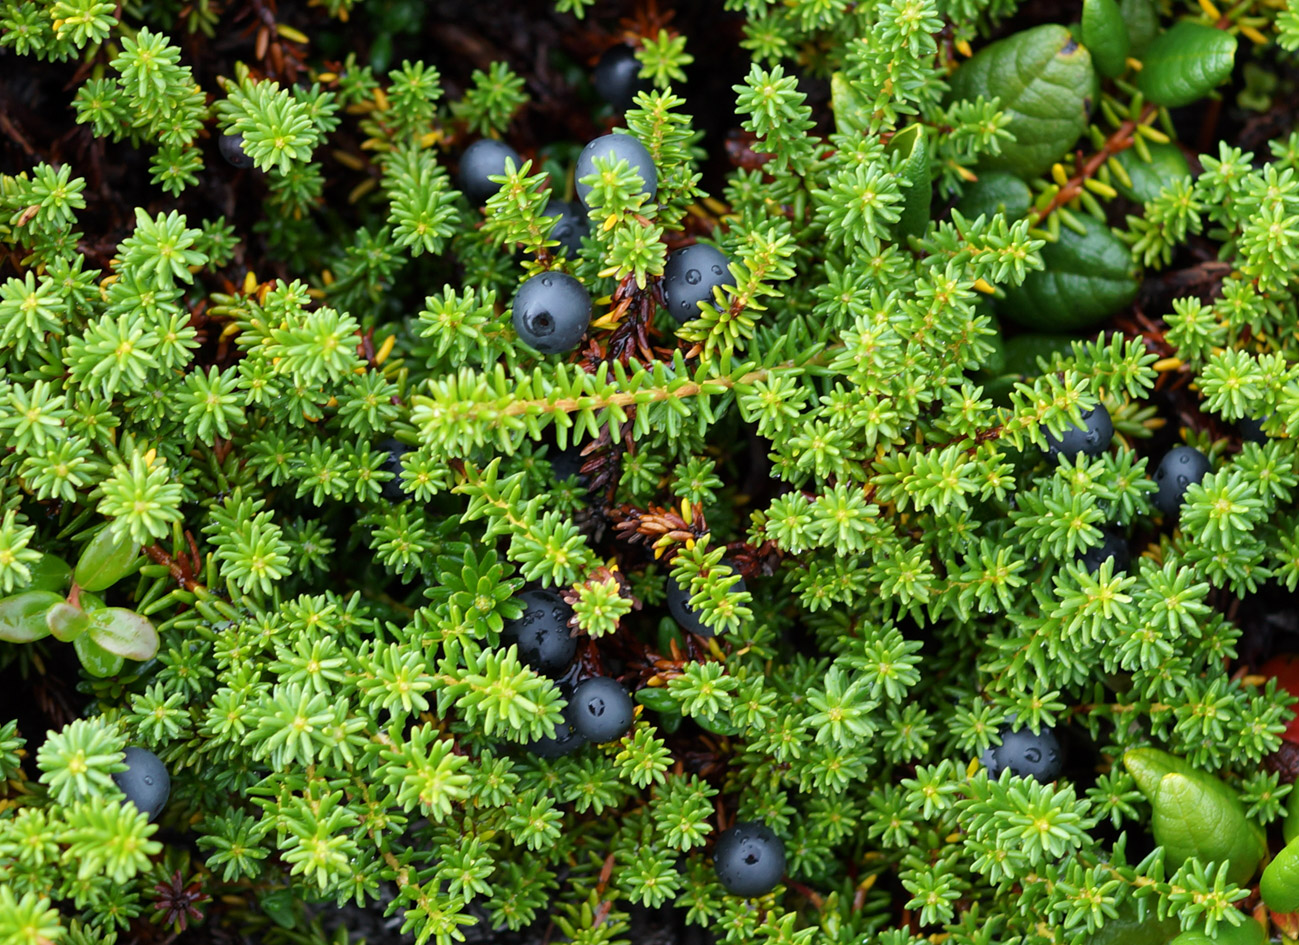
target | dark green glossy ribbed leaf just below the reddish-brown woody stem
x=1085, y=280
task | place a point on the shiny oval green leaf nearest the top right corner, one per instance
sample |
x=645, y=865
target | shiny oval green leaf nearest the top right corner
x=1185, y=64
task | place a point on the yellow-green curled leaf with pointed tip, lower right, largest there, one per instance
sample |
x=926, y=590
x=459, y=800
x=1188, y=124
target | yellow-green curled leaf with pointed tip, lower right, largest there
x=1194, y=814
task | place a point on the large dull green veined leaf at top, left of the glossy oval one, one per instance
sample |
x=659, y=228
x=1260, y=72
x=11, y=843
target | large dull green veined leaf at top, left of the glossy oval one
x=1046, y=85
